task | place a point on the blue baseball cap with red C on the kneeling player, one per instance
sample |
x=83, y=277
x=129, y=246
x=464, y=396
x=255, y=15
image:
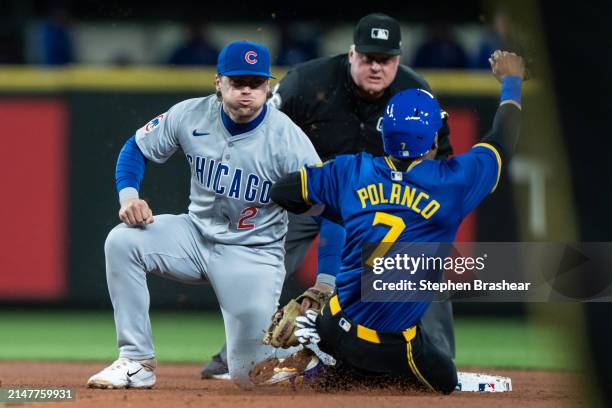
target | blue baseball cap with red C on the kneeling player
x=244, y=58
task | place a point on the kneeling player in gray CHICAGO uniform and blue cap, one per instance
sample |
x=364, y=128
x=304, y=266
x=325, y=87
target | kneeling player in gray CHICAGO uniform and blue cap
x=237, y=146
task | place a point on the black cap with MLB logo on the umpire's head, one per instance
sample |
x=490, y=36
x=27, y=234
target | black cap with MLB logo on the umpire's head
x=379, y=33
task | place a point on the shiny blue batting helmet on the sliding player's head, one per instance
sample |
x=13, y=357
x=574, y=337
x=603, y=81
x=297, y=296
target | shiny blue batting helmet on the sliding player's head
x=410, y=123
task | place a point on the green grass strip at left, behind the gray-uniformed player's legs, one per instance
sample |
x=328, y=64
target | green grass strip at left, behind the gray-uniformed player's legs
x=178, y=337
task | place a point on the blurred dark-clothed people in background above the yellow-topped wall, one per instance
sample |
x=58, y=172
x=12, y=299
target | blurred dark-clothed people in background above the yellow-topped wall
x=51, y=42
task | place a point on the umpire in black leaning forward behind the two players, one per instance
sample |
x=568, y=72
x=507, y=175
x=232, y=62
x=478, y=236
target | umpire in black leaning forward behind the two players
x=339, y=103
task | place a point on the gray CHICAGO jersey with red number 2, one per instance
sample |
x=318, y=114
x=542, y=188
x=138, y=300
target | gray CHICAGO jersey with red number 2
x=231, y=176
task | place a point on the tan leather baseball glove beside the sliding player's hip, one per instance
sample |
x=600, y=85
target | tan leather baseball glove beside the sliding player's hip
x=281, y=332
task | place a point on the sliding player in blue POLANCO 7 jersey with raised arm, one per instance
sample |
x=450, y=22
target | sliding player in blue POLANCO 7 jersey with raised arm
x=401, y=197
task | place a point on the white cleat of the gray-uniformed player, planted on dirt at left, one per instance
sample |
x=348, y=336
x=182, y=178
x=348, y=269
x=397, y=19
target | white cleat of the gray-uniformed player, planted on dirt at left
x=125, y=373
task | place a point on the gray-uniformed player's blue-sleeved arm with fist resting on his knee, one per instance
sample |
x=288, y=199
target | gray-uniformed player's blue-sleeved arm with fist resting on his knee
x=128, y=176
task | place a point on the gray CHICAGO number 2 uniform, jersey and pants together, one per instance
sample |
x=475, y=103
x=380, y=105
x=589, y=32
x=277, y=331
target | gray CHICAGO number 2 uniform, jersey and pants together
x=231, y=177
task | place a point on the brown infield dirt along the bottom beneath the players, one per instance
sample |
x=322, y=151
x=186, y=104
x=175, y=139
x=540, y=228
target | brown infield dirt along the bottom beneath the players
x=180, y=385
